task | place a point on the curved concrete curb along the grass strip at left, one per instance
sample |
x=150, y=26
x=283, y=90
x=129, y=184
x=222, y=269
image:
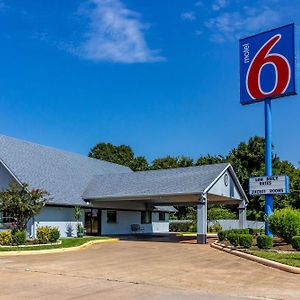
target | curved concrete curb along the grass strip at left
x=57, y=250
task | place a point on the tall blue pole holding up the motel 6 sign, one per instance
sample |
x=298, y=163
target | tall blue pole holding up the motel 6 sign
x=268, y=161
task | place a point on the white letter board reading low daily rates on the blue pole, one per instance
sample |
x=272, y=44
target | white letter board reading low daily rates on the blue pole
x=269, y=185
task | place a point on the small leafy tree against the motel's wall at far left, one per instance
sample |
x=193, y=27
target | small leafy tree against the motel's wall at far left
x=20, y=204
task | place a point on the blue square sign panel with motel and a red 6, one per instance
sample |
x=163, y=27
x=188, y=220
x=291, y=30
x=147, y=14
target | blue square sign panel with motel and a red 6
x=267, y=65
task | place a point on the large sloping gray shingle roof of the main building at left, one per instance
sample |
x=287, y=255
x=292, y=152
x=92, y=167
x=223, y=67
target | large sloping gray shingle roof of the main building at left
x=64, y=175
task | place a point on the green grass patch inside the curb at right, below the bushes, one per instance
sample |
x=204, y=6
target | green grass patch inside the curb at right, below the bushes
x=292, y=259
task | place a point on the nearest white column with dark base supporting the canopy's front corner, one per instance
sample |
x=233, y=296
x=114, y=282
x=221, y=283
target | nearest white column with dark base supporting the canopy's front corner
x=202, y=220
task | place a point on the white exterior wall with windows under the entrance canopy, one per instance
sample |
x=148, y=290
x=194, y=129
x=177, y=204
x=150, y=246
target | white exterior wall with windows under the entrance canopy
x=126, y=218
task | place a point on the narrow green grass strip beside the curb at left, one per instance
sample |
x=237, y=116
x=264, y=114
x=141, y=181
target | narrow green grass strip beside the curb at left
x=66, y=243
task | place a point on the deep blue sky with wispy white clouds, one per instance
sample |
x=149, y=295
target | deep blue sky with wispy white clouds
x=159, y=75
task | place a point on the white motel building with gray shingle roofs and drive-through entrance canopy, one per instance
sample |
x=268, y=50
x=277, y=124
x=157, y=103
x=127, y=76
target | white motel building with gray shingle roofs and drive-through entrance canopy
x=114, y=199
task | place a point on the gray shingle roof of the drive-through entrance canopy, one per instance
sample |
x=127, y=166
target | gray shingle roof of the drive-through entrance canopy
x=158, y=182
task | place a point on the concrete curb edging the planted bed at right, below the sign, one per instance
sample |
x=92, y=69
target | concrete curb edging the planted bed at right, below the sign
x=260, y=260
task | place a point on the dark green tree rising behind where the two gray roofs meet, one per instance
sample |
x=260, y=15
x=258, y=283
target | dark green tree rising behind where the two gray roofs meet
x=122, y=155
